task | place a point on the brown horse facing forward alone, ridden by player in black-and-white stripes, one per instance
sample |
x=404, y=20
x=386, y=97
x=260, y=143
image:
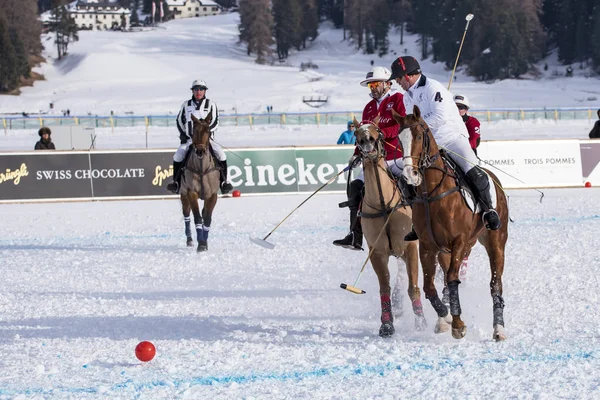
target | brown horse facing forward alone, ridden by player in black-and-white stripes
x=200, y=179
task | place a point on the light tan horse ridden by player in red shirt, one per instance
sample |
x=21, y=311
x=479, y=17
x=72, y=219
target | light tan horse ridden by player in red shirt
x=383, y=209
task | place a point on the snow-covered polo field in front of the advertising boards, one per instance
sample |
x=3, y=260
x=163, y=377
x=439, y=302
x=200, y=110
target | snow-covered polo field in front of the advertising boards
x=83, y=283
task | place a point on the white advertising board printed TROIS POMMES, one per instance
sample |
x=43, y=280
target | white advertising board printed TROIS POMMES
x=533, y=163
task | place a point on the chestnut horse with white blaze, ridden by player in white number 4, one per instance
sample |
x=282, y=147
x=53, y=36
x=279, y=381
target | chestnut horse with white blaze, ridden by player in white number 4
x=447, y=228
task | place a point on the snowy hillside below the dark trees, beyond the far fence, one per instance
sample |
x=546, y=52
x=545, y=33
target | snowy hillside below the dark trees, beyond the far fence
x=150, y=73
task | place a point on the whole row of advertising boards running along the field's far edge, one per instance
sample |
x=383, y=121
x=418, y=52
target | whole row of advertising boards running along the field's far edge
x=107, y=174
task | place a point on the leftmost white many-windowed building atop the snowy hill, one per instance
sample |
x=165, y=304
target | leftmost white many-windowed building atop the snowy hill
x=100, y=15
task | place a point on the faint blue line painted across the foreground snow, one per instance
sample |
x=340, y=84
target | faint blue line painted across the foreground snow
x=346, y=370
